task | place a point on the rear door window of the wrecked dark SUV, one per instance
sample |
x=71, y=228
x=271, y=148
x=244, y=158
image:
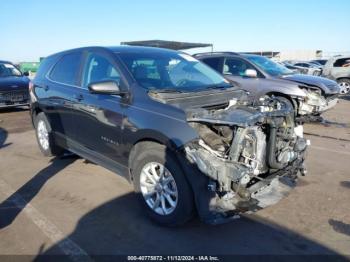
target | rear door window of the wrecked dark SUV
x=66, y=69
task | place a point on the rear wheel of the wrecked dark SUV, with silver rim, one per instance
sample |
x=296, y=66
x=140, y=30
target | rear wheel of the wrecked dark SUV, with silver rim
x=45, y=137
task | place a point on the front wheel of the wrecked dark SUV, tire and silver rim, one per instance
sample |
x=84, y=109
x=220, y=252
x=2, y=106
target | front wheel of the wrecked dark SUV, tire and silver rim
x=161, y=185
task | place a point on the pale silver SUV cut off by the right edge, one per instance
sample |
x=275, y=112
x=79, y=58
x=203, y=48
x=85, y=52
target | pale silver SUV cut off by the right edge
x=338, y=69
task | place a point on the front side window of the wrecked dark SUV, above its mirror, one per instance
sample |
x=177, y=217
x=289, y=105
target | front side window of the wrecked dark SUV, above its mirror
x=98, y=68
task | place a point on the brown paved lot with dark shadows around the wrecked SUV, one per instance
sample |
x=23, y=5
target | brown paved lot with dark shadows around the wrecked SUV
x=70, y=206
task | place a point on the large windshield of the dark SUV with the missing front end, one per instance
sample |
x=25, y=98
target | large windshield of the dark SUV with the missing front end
x=172, y=72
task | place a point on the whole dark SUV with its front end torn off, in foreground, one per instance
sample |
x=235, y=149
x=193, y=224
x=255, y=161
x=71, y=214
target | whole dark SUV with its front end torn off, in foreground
x=172, y=126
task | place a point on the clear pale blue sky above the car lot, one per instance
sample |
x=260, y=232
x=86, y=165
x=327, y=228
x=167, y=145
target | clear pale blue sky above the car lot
x=30, y=29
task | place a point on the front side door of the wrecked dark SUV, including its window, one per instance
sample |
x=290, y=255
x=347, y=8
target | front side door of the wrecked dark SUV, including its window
x=98, y=118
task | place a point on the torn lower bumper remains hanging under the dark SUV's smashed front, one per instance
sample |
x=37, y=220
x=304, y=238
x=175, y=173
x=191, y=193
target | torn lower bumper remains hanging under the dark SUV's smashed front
x=228, y=205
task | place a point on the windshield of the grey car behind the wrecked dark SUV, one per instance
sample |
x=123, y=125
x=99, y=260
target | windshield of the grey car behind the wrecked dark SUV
x=269, y=66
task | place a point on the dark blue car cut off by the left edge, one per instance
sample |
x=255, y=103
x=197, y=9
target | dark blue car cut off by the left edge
x=13, y=86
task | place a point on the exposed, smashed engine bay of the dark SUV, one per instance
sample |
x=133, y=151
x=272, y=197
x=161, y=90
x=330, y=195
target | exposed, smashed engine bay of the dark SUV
x=250, y=153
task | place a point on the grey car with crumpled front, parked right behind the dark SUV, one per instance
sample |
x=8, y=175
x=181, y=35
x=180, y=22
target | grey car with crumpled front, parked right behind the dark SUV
x=309, y=95
